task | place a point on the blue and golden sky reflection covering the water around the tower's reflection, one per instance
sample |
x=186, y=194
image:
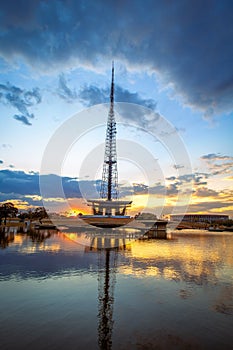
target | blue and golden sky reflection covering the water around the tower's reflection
x=167, y=293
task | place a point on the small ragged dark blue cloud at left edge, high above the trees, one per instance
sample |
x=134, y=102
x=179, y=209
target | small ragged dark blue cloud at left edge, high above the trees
x=21, y=100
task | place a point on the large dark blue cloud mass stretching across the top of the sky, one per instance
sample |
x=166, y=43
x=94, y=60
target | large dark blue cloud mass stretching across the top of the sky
x=187, y=43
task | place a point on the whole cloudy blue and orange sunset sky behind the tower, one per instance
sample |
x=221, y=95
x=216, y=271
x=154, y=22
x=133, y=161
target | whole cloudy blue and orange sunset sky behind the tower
x=173, y=93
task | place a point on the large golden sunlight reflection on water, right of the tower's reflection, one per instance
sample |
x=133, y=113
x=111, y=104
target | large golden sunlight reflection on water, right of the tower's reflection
x=195, y=257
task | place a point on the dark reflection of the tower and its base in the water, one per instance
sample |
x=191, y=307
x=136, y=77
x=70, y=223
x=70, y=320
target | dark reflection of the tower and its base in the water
x=107, y=249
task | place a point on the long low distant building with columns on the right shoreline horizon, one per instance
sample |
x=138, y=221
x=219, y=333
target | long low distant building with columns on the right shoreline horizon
x=199, y=217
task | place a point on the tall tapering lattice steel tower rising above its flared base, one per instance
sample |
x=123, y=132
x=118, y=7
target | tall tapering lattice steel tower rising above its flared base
x=109, y=185
